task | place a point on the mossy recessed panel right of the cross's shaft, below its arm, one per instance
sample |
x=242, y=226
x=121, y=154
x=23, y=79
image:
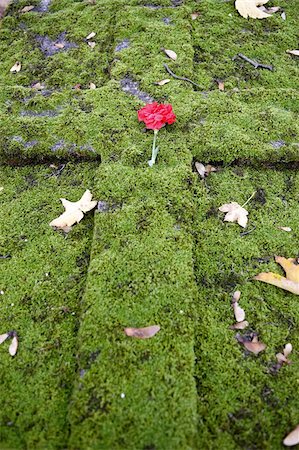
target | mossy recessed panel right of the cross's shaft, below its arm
x=257, y=406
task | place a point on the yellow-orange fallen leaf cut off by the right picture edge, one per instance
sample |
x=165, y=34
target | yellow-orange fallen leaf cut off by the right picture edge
x=290, y=282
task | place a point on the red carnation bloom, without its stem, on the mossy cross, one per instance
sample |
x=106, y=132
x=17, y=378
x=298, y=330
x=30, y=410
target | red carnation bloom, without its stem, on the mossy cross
x=156, y=115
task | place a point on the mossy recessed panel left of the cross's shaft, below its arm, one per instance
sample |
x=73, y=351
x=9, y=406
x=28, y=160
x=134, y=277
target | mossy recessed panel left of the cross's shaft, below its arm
x=42, y=279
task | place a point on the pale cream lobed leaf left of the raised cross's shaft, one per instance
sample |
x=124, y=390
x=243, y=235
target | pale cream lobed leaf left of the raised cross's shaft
x=74, y=211
